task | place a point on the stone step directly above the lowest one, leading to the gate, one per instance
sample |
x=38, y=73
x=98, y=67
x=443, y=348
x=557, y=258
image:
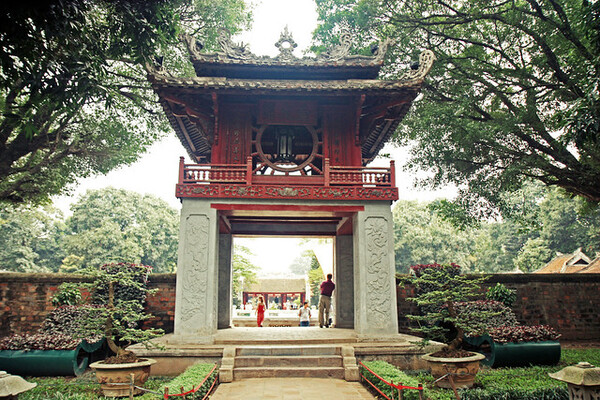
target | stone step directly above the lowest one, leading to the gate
x=289, y=361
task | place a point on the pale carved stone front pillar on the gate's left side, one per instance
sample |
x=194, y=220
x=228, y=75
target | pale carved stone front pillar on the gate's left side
x=197, y=273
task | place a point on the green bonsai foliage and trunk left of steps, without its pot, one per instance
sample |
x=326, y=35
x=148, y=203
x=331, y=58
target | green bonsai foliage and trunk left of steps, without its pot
x=119, y=289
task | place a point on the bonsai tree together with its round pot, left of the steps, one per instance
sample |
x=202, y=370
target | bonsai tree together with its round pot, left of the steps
x=120, y=289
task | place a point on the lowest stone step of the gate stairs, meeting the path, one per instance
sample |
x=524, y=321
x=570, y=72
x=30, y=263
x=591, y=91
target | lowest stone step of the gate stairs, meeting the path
x=289, y=372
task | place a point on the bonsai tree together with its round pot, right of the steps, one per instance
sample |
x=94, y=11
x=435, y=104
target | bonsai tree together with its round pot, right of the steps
x=438, y=288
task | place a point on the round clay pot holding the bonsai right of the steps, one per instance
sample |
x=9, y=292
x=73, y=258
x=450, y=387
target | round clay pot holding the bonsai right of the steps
x=463, y=370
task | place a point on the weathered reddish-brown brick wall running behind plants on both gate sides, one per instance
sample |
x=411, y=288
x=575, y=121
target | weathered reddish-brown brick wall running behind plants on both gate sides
x=568, y=302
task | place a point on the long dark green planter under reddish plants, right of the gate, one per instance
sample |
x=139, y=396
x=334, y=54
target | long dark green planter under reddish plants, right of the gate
x=515, y=354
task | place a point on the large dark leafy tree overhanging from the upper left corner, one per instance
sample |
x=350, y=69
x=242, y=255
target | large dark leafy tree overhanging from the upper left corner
x=74, y=98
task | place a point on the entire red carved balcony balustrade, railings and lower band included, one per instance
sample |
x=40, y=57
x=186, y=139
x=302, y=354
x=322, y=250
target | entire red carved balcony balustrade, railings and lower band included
x=238, y=180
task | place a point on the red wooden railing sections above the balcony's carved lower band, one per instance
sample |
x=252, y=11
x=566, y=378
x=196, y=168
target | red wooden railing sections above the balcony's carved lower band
x=242, y=174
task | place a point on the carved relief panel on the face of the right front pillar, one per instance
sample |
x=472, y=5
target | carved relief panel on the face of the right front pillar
x=378, y=278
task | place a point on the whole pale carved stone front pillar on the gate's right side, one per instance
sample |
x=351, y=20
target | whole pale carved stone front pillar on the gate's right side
x=374, y=272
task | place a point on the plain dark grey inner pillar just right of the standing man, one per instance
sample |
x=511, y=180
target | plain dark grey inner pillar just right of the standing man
x=344, y=282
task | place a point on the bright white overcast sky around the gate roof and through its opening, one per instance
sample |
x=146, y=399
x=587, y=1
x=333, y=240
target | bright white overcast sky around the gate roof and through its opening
x=156, y=172
